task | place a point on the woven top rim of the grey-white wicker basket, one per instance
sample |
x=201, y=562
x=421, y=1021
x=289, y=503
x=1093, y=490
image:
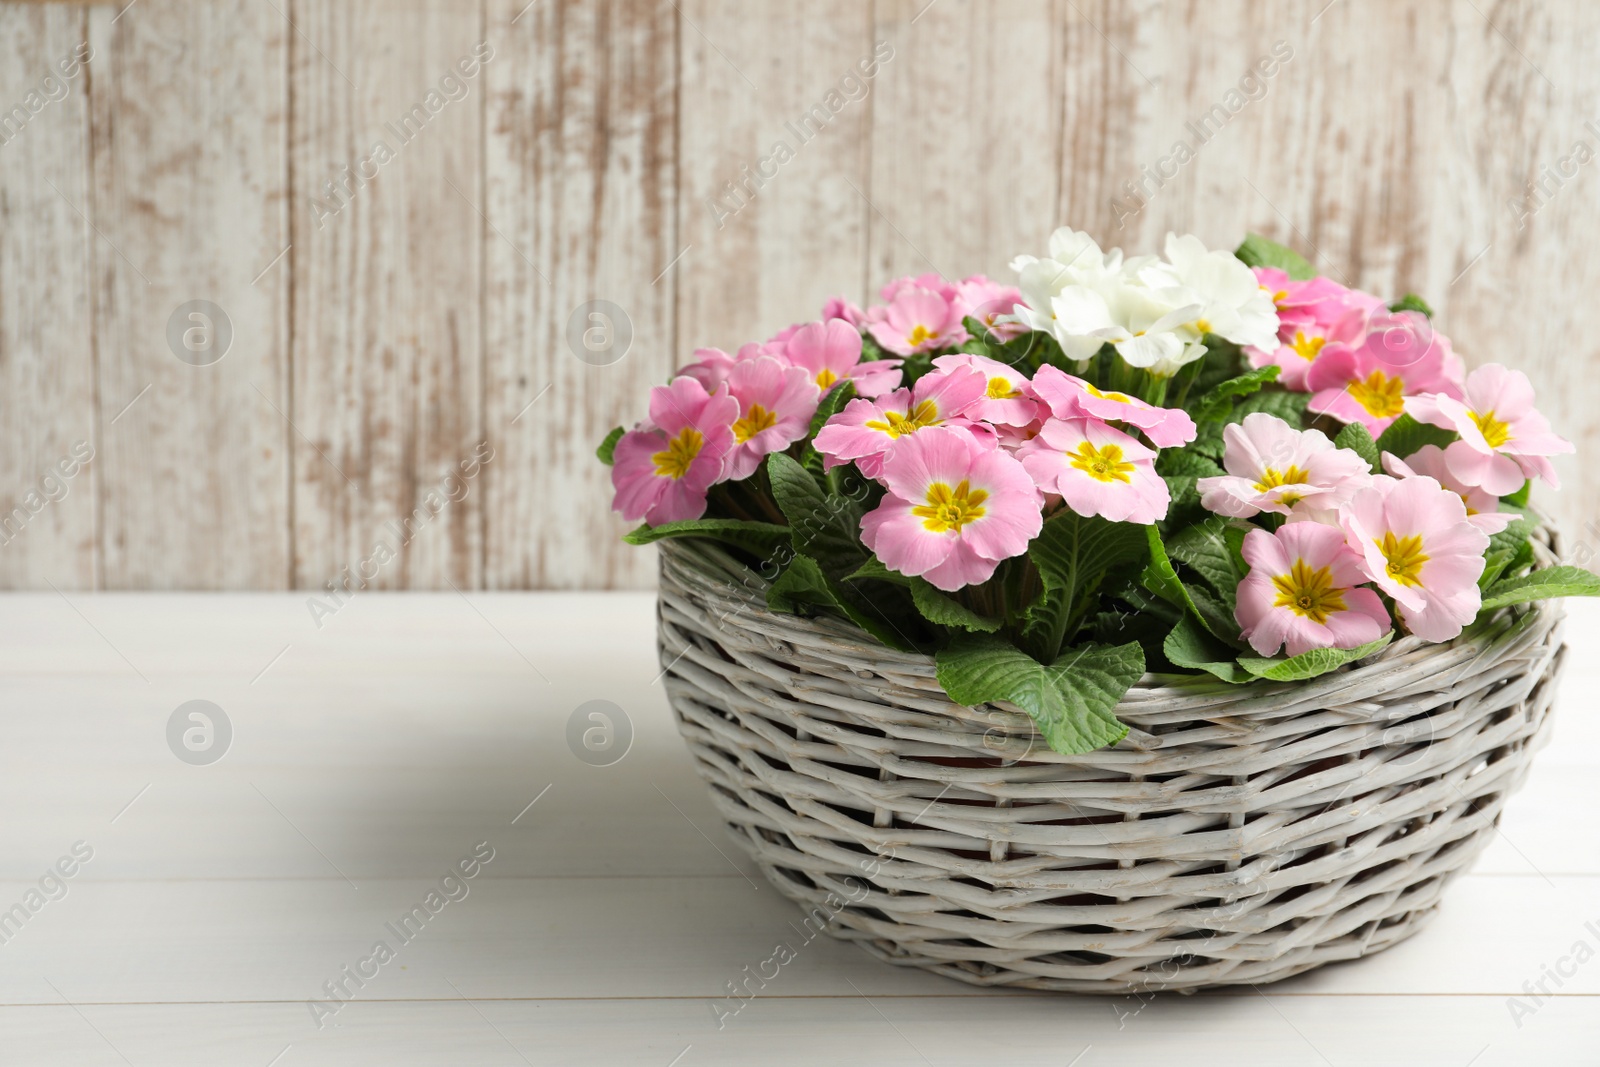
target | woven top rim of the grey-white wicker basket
x=1356, y=684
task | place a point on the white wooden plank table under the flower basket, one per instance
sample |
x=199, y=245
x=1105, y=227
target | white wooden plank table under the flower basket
x=369, y=756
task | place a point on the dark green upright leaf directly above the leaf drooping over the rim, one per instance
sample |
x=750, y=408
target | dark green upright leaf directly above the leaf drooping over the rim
x=1073, y=554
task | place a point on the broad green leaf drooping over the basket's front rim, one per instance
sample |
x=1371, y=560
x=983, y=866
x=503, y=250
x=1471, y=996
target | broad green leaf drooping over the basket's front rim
x=1071, y=701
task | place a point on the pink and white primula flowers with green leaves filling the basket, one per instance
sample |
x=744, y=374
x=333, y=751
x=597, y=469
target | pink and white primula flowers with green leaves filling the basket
x=1209, y=465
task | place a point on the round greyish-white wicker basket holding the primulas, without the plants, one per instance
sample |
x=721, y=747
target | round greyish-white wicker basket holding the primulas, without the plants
x=1238, y=834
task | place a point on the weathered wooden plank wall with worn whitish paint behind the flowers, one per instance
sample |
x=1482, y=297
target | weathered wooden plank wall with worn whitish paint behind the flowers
x=401, y=369
